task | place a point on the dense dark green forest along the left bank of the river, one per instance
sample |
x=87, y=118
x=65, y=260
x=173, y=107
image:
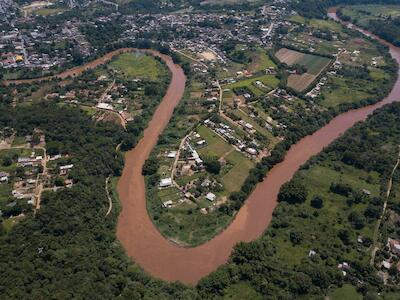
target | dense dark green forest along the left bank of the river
x=68, y=249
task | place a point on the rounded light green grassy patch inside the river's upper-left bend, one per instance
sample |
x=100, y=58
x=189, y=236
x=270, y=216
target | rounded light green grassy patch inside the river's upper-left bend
x=137, y=66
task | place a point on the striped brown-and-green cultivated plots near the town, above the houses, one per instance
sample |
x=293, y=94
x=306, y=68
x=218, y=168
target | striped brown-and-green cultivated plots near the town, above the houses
x=313, y=63
